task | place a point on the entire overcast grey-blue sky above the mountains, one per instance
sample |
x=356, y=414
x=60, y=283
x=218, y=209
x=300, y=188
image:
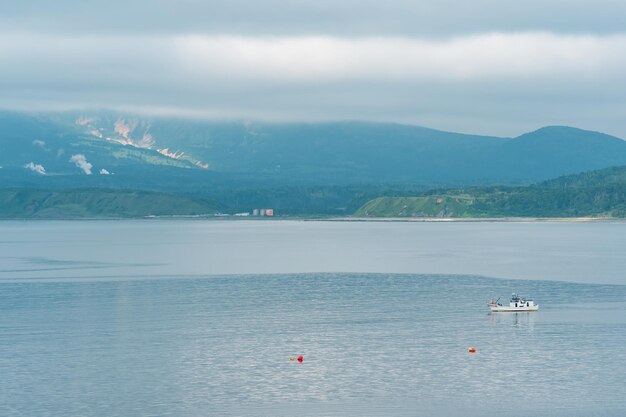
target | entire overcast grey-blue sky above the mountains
x=492, y=67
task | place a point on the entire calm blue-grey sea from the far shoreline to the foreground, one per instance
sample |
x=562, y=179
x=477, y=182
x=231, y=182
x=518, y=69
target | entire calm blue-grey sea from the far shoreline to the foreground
x=185, y=317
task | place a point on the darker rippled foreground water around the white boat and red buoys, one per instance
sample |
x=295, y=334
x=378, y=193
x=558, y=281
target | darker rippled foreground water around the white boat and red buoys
x=373, y=344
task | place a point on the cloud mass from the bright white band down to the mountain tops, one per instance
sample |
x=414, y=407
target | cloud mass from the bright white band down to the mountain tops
x=497, y=83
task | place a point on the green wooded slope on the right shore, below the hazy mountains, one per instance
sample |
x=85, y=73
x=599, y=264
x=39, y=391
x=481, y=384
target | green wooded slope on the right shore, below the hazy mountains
x=596, y=194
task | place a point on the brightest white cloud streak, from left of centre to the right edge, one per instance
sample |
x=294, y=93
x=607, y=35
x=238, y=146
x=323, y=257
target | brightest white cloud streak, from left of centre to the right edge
x=315, y=59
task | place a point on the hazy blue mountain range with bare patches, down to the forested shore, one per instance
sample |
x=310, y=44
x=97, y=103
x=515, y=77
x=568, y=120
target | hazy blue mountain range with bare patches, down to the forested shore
x=260, y=164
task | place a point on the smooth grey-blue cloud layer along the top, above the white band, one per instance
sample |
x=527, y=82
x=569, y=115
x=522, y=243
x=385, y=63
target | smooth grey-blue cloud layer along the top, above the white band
x=313, y=17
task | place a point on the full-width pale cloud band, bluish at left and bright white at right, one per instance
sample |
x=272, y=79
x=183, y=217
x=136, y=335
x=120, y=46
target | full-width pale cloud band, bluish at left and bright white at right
x=220, y=62
